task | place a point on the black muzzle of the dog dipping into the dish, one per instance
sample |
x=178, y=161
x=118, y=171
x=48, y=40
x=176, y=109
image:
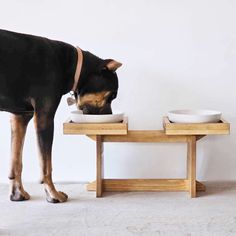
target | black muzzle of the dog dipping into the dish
x=93, y=110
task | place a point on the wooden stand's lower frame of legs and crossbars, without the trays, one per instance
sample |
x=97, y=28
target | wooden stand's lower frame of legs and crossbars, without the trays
x=189, y=184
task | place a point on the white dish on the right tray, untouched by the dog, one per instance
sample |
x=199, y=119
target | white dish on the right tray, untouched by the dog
x=194, y=116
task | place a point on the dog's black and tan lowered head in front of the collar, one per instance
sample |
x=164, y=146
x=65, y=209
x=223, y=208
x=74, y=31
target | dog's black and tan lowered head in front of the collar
x=99, y=85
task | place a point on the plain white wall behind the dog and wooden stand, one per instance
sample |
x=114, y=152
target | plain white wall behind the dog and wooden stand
x=176, y=54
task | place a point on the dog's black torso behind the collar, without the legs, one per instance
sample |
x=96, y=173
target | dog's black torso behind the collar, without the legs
x=32, y=67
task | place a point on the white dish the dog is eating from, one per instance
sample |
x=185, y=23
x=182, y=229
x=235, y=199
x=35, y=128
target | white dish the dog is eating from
x=79, y=117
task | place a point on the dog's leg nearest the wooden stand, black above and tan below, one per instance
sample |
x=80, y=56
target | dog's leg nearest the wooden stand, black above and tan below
x=44, y=127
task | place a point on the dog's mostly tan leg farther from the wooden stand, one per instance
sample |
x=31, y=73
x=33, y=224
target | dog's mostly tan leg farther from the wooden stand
x=19, y=124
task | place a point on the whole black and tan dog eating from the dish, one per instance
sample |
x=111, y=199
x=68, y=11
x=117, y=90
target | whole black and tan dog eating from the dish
x=34, y=74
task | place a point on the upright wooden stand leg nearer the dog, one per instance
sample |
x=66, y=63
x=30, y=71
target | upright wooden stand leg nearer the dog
x=100, y=170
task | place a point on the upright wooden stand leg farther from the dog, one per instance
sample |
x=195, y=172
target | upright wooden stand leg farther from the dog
x=191, y=166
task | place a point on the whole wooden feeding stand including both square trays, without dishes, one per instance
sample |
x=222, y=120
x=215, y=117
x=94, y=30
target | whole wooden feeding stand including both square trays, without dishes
x=189, y=184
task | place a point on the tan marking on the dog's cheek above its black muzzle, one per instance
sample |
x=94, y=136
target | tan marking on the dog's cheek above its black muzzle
x=93, y=99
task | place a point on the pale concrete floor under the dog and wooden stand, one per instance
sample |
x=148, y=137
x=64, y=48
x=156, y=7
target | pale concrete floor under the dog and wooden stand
x=159, y=214
